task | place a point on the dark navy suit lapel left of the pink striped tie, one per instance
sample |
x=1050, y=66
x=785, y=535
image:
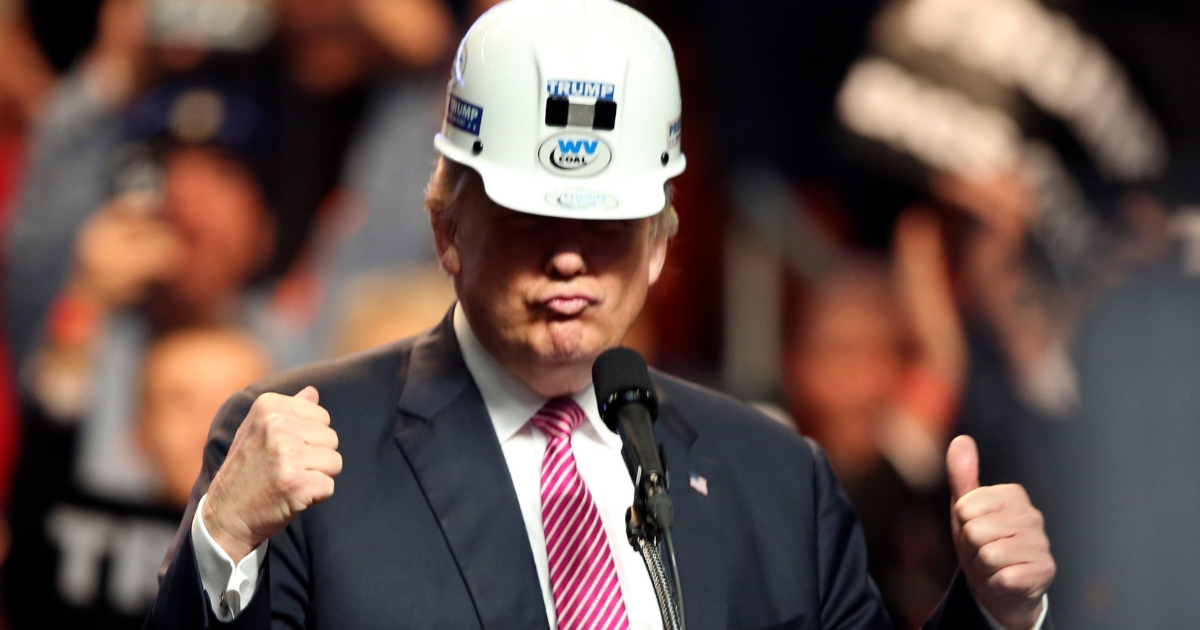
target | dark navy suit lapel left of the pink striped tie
x=447, y=436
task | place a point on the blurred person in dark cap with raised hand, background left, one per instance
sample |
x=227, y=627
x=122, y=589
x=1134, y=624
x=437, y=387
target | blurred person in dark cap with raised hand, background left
x=181, y=245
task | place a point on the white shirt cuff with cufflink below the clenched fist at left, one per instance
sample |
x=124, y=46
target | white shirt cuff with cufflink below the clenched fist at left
x=230, y=587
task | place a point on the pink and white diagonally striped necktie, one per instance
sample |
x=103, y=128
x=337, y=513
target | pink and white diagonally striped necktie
x=583, y=573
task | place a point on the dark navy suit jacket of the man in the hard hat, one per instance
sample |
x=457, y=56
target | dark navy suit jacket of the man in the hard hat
x=424, y=530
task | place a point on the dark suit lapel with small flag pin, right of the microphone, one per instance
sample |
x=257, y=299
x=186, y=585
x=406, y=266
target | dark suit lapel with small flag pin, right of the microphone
x=699, y=547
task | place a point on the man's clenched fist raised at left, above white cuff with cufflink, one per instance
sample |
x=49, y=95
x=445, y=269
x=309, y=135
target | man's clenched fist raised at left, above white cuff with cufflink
x=283, y=461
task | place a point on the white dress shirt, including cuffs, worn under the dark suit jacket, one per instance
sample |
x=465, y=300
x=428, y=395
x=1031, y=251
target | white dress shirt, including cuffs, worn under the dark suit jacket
x=511, y=405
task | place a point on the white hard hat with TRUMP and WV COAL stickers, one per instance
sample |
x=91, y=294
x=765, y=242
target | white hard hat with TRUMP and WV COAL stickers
x=567, y=109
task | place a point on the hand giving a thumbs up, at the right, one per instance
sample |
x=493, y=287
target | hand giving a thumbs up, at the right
x=1000, y=539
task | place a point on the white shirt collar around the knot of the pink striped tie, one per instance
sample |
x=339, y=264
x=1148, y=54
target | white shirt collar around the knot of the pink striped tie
x=511, y=403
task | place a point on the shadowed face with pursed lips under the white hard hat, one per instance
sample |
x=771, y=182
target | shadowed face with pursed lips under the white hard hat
x=548, y=296
